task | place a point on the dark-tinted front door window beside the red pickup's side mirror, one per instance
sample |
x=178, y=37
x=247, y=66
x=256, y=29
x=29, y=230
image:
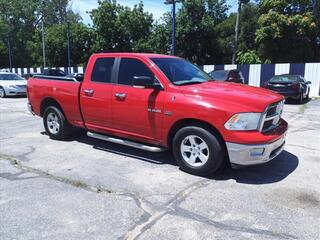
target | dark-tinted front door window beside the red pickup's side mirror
x=129, y=68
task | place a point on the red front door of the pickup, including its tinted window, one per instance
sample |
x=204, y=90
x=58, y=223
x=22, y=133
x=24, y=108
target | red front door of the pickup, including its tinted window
x=136, y=112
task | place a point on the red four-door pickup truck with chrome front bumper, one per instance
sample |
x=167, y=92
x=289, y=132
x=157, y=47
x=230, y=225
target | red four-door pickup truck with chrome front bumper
x=156, y=102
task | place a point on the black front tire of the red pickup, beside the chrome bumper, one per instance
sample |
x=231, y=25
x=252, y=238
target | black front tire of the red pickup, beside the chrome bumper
x=216, y=157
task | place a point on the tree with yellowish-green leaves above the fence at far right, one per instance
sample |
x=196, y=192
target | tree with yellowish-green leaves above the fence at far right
x=287, y=31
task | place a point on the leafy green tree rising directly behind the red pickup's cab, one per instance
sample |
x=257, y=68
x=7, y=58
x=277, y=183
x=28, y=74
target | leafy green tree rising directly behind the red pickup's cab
x=120, y=28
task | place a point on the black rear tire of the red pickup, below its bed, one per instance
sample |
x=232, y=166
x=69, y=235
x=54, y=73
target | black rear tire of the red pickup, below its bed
x=64, y=128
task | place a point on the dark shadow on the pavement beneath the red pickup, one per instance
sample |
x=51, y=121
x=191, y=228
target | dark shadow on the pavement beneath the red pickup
x=273, y=171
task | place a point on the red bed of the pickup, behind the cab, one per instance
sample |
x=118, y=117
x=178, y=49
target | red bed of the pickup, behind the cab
x=64, y=90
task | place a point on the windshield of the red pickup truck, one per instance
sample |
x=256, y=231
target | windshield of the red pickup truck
x=180, y=71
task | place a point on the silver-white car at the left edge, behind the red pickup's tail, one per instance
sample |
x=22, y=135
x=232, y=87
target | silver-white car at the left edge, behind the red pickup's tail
x=12, y=84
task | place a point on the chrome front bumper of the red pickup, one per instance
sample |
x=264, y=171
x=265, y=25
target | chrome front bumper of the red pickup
x=245, y=155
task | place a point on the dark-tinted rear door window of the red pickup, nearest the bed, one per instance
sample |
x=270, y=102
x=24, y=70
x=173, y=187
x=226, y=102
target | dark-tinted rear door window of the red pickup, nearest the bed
x=102, y=70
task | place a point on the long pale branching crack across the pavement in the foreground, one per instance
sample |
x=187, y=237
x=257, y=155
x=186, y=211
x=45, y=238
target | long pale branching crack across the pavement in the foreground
x=151, y=215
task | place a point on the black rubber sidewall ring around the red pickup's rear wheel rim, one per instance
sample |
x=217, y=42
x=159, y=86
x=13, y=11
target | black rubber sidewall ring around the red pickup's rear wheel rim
x=63, y=130
